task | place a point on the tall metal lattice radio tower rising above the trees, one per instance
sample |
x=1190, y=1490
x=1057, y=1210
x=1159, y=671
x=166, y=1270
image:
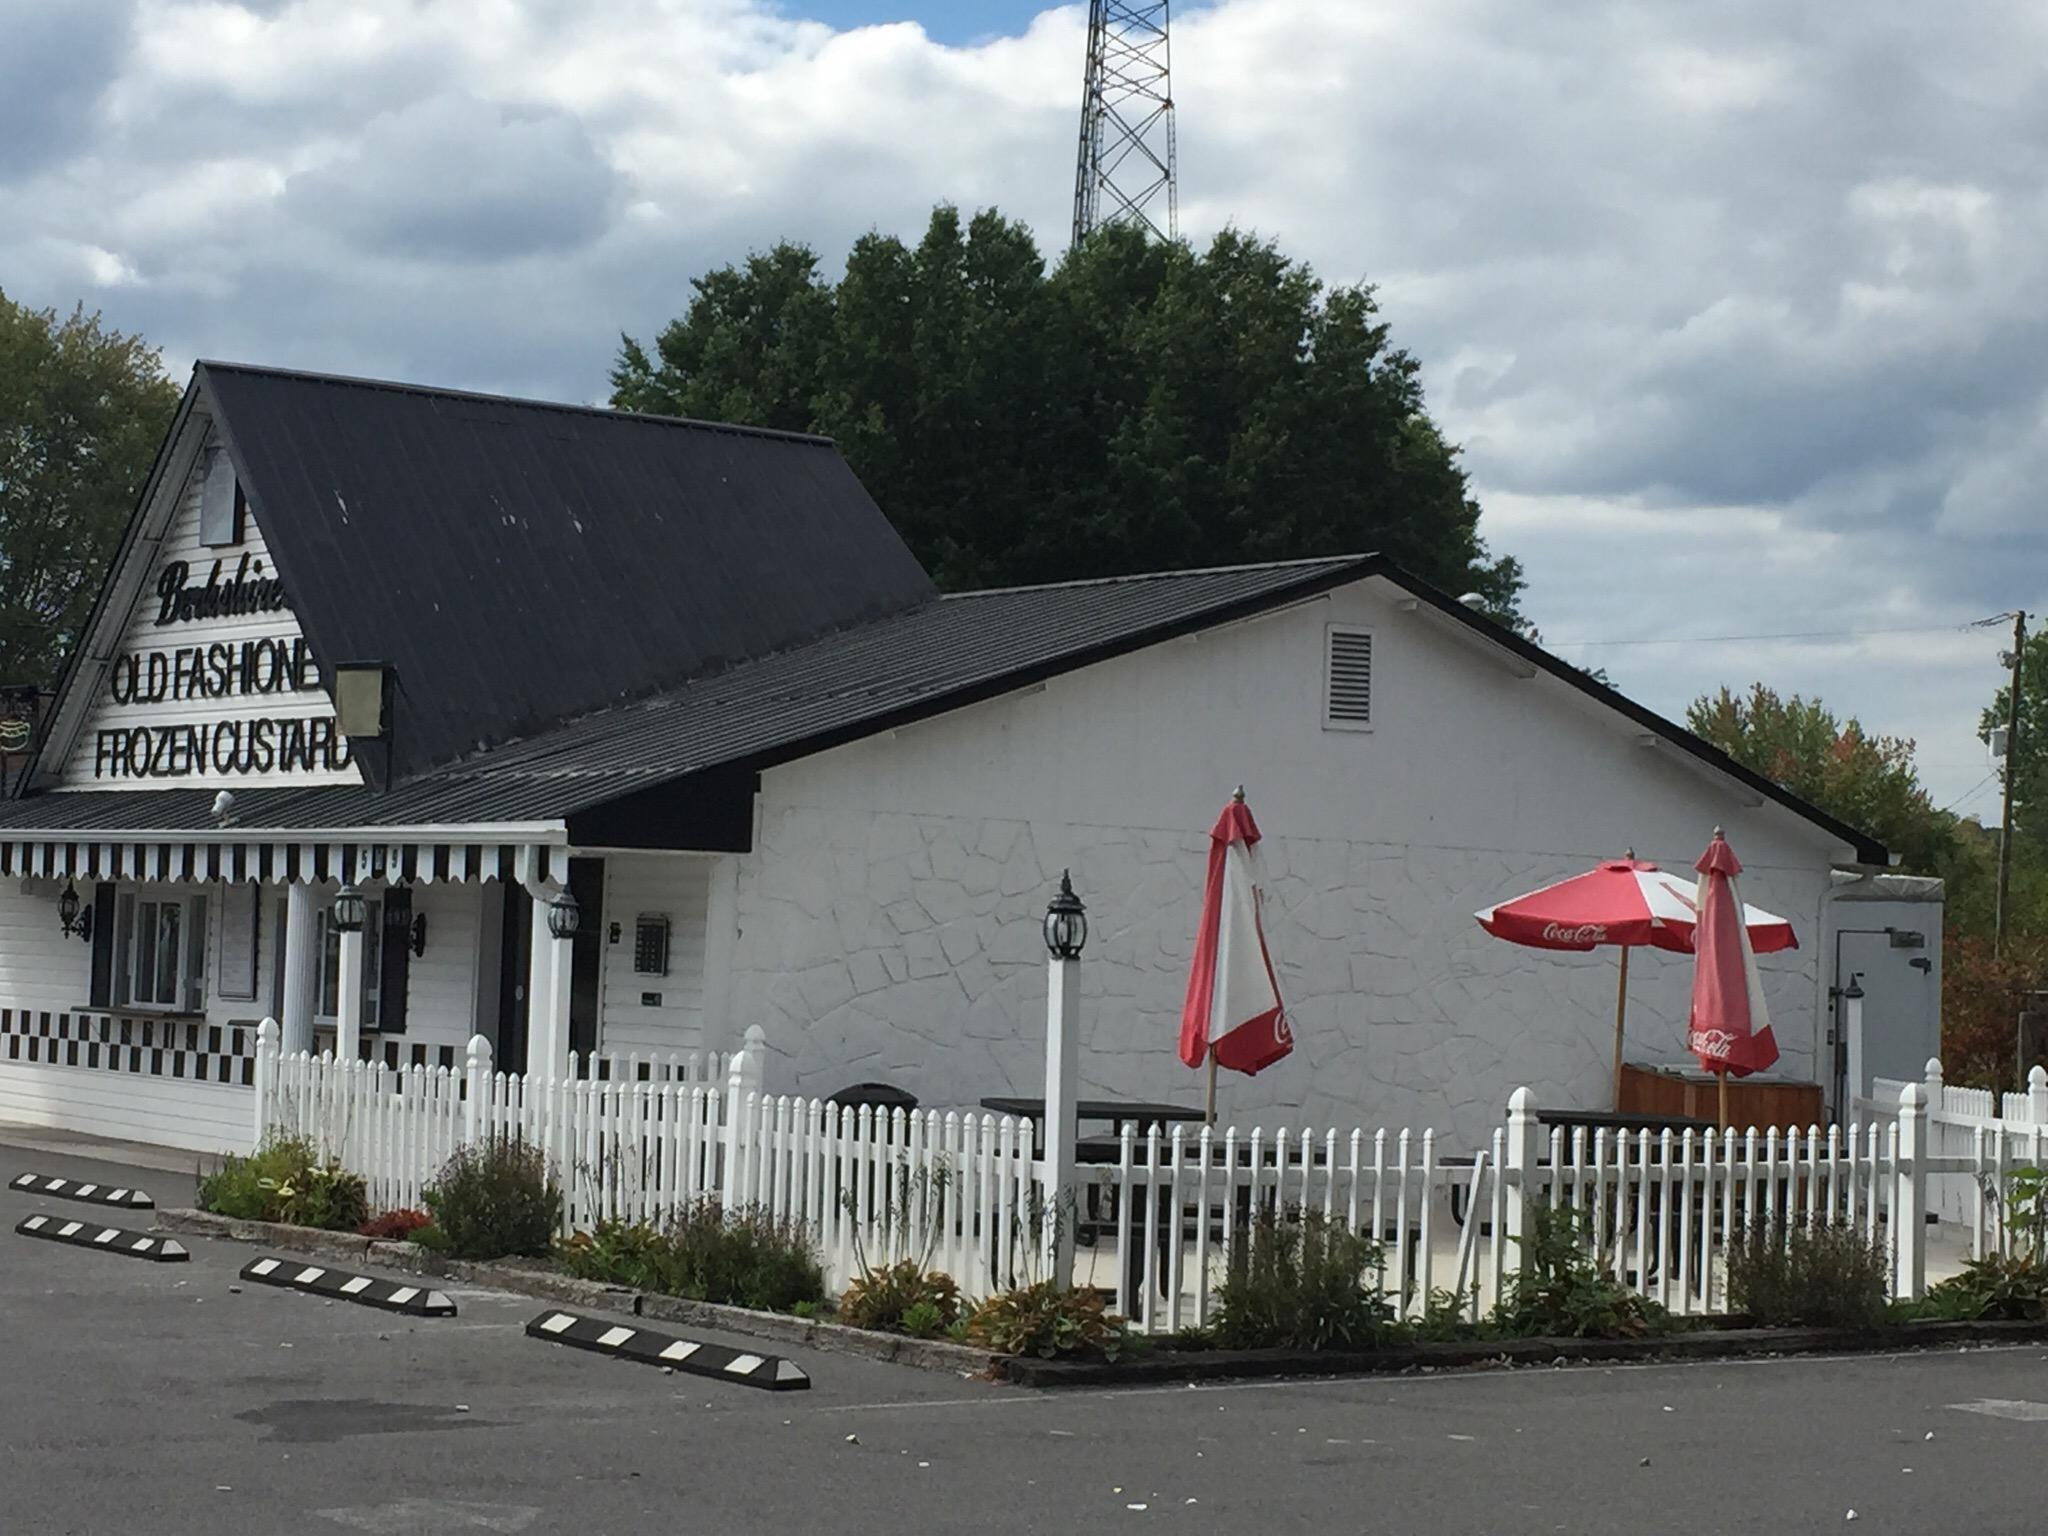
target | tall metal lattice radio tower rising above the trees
x=1127, y=169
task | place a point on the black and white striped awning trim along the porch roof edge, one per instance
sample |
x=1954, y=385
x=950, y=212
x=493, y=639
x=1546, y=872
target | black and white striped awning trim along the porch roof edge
x=286, y=861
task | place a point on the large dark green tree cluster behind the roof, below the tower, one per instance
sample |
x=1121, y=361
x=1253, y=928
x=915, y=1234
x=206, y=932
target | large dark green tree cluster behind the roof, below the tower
x=1140, y=407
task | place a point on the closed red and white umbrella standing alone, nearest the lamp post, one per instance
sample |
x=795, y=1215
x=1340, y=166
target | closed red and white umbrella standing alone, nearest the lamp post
x=1234, y=1015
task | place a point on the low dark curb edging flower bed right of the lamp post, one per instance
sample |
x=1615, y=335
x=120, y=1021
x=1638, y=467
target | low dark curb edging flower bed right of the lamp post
x=1707, y=1345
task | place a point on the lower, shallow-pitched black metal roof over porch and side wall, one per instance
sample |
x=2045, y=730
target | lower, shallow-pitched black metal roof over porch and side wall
x=943, y=654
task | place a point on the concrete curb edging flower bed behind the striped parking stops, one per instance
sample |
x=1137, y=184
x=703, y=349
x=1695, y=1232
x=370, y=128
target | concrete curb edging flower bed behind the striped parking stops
x=550, y=1285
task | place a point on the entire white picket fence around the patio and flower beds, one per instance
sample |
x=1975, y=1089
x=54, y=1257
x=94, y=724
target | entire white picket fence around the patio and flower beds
x=966, y=1193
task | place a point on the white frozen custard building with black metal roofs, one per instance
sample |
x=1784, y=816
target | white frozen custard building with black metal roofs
x=691, y=677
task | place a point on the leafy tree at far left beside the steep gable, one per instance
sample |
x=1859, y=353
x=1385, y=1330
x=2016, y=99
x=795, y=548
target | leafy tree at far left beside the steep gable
x=83, y=411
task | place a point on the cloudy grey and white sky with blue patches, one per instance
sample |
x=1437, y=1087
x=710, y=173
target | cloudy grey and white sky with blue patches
x=1738, y=308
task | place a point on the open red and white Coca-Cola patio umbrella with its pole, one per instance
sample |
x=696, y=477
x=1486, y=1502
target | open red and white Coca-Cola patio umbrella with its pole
x=1623, y=902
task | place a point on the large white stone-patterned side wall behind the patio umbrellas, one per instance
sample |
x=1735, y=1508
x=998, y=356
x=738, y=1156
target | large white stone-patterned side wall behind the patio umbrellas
x=888, y=923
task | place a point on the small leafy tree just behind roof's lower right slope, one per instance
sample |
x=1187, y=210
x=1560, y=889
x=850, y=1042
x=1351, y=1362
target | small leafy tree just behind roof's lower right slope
x=1867, y=781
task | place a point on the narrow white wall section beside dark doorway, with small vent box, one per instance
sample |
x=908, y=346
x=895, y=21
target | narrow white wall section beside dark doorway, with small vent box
x=677, y=888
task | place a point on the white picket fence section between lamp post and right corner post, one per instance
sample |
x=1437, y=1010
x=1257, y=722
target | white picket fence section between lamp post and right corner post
x=1656, y=1207
